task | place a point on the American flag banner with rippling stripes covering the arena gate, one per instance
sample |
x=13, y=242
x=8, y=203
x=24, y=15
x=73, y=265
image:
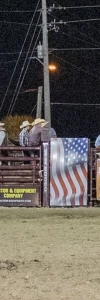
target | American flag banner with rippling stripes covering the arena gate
x=68, y=172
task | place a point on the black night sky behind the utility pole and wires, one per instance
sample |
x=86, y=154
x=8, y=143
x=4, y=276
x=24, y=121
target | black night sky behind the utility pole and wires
x=75, y=87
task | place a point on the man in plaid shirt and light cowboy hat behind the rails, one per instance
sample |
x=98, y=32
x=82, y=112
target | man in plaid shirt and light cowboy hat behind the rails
x=24, y=137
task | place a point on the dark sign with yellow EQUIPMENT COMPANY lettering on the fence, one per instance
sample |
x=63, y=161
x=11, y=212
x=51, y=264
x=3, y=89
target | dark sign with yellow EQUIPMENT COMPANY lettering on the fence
x=20, y=196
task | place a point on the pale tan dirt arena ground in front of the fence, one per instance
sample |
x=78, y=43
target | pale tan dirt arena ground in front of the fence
x=49, y=254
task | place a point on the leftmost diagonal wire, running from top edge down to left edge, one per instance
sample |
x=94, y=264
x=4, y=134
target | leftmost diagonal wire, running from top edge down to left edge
x=19, y=56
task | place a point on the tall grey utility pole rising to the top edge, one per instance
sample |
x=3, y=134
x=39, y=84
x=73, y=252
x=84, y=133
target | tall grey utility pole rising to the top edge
x=47, y=110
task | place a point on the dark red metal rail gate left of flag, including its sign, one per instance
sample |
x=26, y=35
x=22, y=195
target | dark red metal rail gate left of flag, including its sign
x=20, y=176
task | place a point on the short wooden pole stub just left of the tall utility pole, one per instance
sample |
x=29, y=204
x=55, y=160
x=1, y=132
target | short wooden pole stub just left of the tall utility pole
x=39, y=102
